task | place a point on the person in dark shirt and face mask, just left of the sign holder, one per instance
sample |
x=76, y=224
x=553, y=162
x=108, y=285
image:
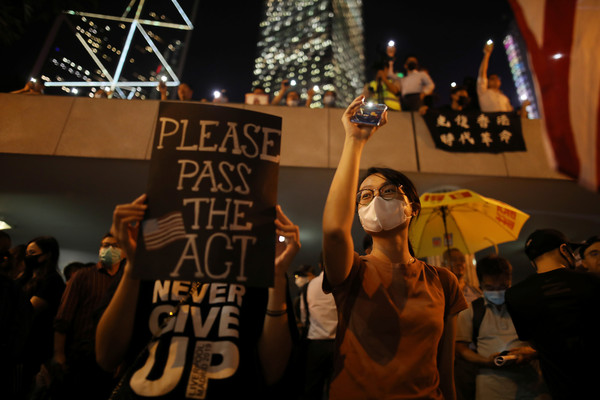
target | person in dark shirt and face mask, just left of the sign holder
x=75, y=328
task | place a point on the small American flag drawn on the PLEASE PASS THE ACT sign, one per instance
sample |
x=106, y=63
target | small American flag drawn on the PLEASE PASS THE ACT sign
x=159, y=232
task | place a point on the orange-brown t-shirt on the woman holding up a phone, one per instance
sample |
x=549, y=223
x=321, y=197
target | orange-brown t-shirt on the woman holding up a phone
x=391, y=319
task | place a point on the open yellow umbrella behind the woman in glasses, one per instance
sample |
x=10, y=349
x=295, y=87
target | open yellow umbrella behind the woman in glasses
x=465, y=220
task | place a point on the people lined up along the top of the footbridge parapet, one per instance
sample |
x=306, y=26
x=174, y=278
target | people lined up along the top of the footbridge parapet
x=411, y=91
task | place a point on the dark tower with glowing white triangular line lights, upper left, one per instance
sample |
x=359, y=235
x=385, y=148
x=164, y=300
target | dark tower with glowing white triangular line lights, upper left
x=124, y=50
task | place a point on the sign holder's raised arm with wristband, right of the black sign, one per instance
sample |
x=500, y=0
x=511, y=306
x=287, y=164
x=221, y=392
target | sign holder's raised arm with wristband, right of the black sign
x=275, y=344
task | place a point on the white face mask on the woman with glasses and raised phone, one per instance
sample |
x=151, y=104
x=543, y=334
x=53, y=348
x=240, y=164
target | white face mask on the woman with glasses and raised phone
x=382, y=214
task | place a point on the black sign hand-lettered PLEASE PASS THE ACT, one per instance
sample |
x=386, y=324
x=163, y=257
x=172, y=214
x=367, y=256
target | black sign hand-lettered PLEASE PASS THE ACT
x=212, y=194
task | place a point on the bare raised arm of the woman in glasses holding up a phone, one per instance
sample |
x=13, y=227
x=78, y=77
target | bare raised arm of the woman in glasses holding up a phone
x=338, y=248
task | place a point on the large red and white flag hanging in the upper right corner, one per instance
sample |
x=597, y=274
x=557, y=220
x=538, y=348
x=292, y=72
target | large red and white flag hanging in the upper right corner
x=562, y=38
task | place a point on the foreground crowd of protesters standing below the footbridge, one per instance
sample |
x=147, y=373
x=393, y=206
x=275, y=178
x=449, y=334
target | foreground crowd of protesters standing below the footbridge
x=378, y=325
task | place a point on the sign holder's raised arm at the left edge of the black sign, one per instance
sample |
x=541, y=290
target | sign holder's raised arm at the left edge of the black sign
x=115, y=328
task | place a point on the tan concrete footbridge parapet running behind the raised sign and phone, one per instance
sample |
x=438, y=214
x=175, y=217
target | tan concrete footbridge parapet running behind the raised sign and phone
x=123, y=129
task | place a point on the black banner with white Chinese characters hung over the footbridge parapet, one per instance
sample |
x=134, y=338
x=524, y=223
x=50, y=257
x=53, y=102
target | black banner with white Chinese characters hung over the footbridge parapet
x=475, y=131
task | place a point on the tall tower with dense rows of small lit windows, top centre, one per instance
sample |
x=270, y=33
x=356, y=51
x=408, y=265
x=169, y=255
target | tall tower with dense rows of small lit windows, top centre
x=312, y=43
